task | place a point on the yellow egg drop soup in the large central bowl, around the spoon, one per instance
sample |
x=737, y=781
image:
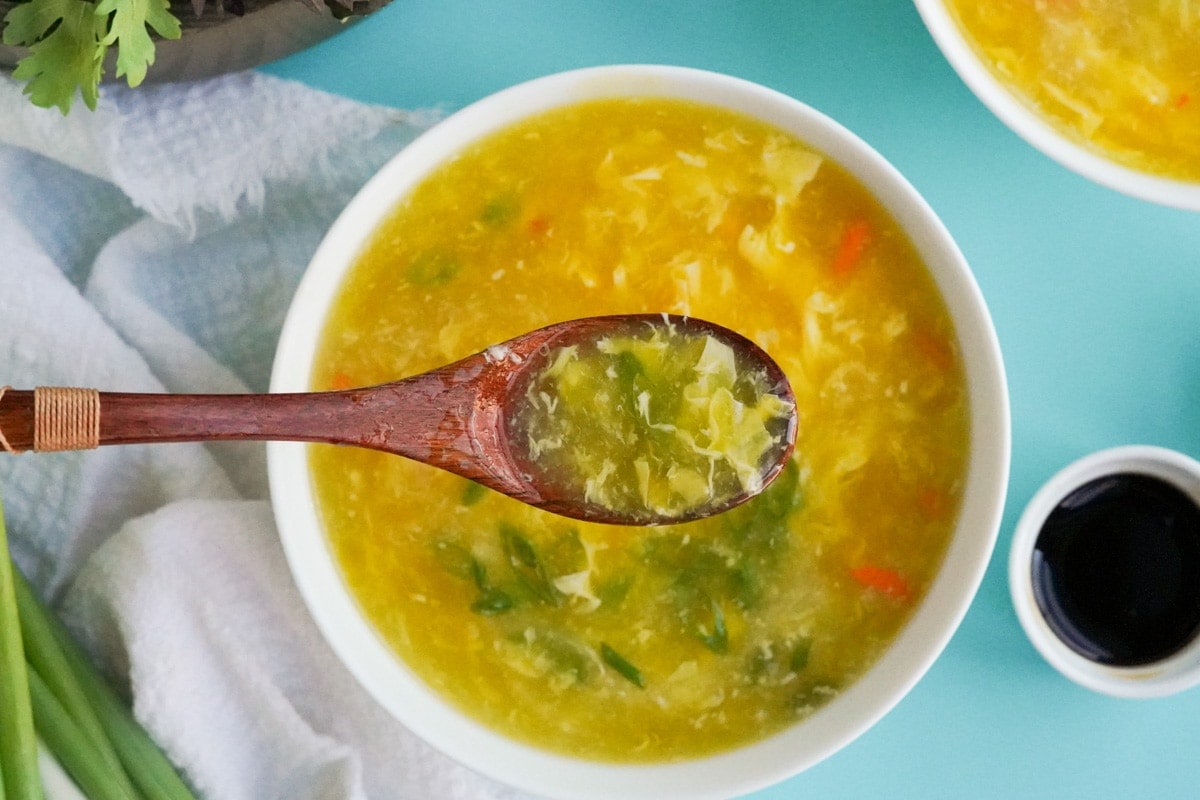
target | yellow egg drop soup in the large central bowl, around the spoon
x=652, y=645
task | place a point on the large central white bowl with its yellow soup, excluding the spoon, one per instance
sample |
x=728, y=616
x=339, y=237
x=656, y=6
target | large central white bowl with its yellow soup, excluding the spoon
x=703, y=660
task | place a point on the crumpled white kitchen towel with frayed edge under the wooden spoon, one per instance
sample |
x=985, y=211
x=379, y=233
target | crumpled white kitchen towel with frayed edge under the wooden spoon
x=154, y=246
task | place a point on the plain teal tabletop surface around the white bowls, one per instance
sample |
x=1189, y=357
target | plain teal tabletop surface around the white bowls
x=1094, y=297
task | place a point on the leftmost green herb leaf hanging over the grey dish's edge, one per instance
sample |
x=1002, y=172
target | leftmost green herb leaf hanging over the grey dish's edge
x=65, y=51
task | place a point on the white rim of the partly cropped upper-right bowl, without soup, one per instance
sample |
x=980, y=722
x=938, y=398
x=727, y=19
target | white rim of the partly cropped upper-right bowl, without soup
x=1037, y=131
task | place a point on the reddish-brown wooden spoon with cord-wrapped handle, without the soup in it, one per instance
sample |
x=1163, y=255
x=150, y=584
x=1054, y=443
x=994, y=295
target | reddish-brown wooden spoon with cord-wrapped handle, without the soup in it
x=457, y=418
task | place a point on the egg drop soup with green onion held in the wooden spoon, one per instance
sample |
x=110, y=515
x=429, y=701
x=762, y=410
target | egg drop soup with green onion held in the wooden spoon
x=655, y=424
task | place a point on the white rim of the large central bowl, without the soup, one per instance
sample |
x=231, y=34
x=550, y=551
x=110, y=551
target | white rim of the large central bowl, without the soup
x=724, y=775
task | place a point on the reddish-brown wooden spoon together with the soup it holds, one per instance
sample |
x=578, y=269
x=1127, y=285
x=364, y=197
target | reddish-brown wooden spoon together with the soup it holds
x=637, y=419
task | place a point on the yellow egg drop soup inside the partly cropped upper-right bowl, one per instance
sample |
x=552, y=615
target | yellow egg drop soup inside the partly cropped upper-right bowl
x=1121, y=79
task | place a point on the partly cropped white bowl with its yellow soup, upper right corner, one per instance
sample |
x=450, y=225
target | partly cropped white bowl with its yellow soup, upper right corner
x=1107, y=88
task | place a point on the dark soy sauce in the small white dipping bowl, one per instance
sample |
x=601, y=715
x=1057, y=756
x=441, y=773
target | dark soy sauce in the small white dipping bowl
x=1117, y=570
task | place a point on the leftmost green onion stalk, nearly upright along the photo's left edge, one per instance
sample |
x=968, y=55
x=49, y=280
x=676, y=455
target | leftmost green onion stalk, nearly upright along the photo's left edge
x=19, y=742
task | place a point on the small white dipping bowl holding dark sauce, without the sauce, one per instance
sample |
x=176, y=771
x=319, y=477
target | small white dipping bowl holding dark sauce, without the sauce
x=1173, y=675
